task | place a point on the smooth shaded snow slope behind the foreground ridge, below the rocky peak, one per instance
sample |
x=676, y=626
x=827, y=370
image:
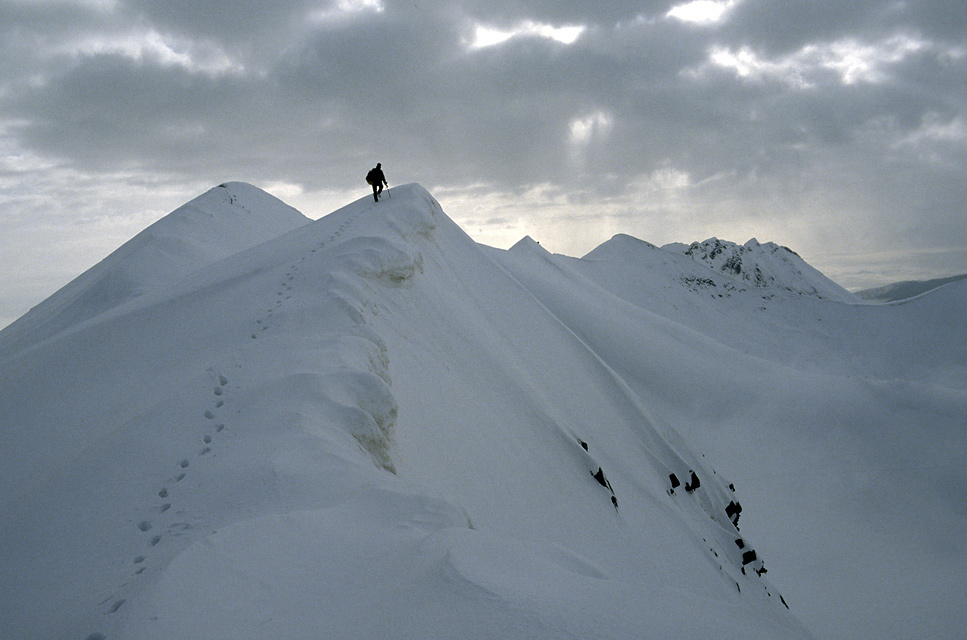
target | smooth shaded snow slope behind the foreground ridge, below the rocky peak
x=844, y=423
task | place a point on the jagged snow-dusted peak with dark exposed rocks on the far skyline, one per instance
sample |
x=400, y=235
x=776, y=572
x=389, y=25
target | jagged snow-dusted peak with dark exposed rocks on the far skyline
x=765, y=265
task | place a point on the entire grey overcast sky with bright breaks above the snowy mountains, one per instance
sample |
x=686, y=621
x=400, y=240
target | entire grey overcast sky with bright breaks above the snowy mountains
x=838, y=129
